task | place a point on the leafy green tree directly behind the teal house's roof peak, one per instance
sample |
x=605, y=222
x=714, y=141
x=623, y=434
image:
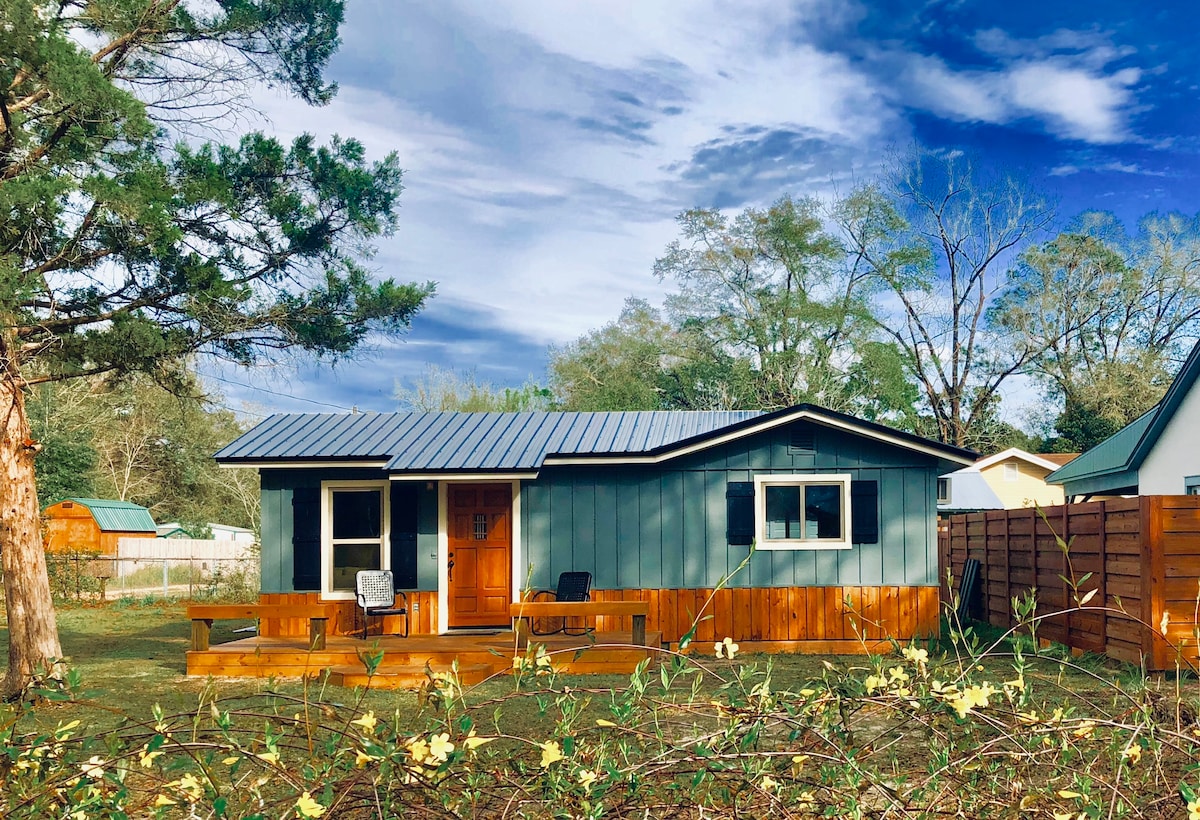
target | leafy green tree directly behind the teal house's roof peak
x=770, y=291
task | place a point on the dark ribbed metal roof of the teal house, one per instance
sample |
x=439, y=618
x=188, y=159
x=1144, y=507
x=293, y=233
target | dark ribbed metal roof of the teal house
x=508, y=442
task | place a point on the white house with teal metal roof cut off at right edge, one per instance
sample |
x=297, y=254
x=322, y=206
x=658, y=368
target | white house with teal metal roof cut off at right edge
x=1155, y=456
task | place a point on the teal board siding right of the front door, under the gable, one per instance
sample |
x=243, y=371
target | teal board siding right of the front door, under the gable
x=664, y=526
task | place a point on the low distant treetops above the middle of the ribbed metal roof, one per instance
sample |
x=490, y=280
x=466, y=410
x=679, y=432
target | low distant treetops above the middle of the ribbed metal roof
x=441, y=390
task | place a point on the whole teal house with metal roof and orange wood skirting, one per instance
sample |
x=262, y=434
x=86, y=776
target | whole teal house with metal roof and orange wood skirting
x=471, y=508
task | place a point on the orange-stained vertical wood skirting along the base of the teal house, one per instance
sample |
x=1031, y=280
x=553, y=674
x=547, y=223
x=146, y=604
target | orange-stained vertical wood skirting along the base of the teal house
x=808, y=619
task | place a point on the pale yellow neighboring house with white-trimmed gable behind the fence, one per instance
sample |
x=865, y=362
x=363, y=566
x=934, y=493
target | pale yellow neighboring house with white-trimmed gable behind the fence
x=1007, y=481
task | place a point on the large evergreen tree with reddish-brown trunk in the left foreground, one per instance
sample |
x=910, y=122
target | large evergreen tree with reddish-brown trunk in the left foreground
x=124, y=250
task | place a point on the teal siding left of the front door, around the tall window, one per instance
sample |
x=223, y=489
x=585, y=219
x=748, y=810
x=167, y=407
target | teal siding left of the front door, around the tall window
x=278, y=487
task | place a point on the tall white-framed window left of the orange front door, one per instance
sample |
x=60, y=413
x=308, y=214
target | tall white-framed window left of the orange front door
x=355, y=522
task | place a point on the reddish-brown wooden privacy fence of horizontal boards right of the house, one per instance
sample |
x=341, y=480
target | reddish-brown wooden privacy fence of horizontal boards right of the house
x=1144, y=559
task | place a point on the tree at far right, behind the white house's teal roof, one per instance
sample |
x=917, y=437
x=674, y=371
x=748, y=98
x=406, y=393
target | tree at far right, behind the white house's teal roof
x=1109, y=313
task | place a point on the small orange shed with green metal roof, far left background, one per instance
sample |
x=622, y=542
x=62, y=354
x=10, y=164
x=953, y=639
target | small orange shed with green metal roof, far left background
x=94, y=525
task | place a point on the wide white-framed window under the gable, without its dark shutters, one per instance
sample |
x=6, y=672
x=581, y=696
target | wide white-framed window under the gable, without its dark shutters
x=802, y=512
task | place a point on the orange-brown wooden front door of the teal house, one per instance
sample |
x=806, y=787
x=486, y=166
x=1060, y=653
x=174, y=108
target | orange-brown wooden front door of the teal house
x=481, y=567
